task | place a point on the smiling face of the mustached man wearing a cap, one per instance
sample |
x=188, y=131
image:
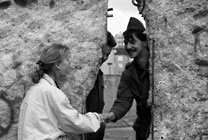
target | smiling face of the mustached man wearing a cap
x=134, y=46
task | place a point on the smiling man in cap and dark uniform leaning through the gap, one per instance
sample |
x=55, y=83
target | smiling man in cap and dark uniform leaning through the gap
x=134, y=82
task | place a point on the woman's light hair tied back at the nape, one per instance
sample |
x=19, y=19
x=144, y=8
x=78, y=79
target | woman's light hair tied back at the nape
x=49, y=56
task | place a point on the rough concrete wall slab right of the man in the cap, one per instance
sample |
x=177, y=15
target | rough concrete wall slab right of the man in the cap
x=180, y=31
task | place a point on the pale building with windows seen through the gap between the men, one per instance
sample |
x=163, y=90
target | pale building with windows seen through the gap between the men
x=117, y=59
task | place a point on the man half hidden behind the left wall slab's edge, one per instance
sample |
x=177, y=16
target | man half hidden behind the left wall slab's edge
x=95, y=99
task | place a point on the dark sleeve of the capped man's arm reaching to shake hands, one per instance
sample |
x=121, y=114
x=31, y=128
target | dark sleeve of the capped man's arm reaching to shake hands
x=124, y=99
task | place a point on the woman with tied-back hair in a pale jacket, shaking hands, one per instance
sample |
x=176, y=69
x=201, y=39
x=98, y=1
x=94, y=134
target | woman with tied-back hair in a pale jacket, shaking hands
x=46, y=112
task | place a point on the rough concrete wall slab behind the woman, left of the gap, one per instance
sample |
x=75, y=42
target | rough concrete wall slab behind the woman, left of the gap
x=26, y=26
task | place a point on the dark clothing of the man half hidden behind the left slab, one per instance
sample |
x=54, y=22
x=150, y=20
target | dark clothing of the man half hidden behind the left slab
x=95, y=103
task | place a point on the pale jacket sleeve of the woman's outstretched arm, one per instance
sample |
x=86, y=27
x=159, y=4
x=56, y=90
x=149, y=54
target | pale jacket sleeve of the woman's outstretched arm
x=69, y=119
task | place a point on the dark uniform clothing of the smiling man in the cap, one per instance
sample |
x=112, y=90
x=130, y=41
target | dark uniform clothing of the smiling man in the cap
x=134, y=84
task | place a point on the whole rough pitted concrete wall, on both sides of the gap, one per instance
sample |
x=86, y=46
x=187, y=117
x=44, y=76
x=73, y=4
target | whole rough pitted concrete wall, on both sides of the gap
x=178, y=27
